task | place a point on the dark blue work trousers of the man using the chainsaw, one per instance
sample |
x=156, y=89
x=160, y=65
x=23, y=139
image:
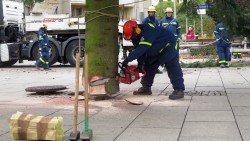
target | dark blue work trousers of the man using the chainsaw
x=174, y=73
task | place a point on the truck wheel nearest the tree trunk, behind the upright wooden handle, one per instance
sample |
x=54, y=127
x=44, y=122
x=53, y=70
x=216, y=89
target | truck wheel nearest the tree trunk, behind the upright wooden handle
x=71, y=51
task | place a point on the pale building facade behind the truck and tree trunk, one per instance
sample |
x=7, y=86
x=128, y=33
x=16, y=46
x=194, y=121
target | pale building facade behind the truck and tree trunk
x=128, y=9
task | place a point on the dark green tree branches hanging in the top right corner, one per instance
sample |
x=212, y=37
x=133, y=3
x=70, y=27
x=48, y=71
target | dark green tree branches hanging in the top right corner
x=233, y=13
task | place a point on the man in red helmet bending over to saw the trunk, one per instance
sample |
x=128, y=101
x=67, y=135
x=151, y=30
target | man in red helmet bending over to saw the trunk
x=155, y=46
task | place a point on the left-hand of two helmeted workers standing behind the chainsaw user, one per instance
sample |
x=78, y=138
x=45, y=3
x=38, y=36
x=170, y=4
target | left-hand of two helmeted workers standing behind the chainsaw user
x=151, y=19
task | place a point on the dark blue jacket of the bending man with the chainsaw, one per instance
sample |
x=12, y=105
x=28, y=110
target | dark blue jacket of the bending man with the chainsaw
x=155, y=43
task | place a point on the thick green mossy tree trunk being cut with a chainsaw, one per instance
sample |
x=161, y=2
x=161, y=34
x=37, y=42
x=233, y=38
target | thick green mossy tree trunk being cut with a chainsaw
x=101, y=43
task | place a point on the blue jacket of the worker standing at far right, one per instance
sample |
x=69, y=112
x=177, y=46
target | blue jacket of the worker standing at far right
x=221, y=33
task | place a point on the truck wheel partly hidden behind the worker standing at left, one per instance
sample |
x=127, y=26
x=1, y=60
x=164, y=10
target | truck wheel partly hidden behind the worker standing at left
x=53, y=54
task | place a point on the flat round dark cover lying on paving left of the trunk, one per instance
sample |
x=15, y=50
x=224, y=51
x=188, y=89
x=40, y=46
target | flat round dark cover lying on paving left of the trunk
x=45, y=89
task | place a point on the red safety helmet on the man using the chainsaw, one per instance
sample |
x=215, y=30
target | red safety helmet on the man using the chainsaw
x=128, y=29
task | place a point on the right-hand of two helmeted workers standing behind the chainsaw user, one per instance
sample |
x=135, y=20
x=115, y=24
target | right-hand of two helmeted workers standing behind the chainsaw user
x=171, y=24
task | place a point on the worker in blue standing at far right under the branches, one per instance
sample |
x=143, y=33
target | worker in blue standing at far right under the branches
x=222, y=45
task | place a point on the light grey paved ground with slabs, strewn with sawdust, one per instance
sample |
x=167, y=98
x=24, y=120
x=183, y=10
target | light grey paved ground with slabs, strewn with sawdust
x=216, y=106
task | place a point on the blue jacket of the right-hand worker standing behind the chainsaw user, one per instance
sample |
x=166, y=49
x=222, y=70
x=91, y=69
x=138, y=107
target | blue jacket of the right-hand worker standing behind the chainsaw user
x=172, y=25
